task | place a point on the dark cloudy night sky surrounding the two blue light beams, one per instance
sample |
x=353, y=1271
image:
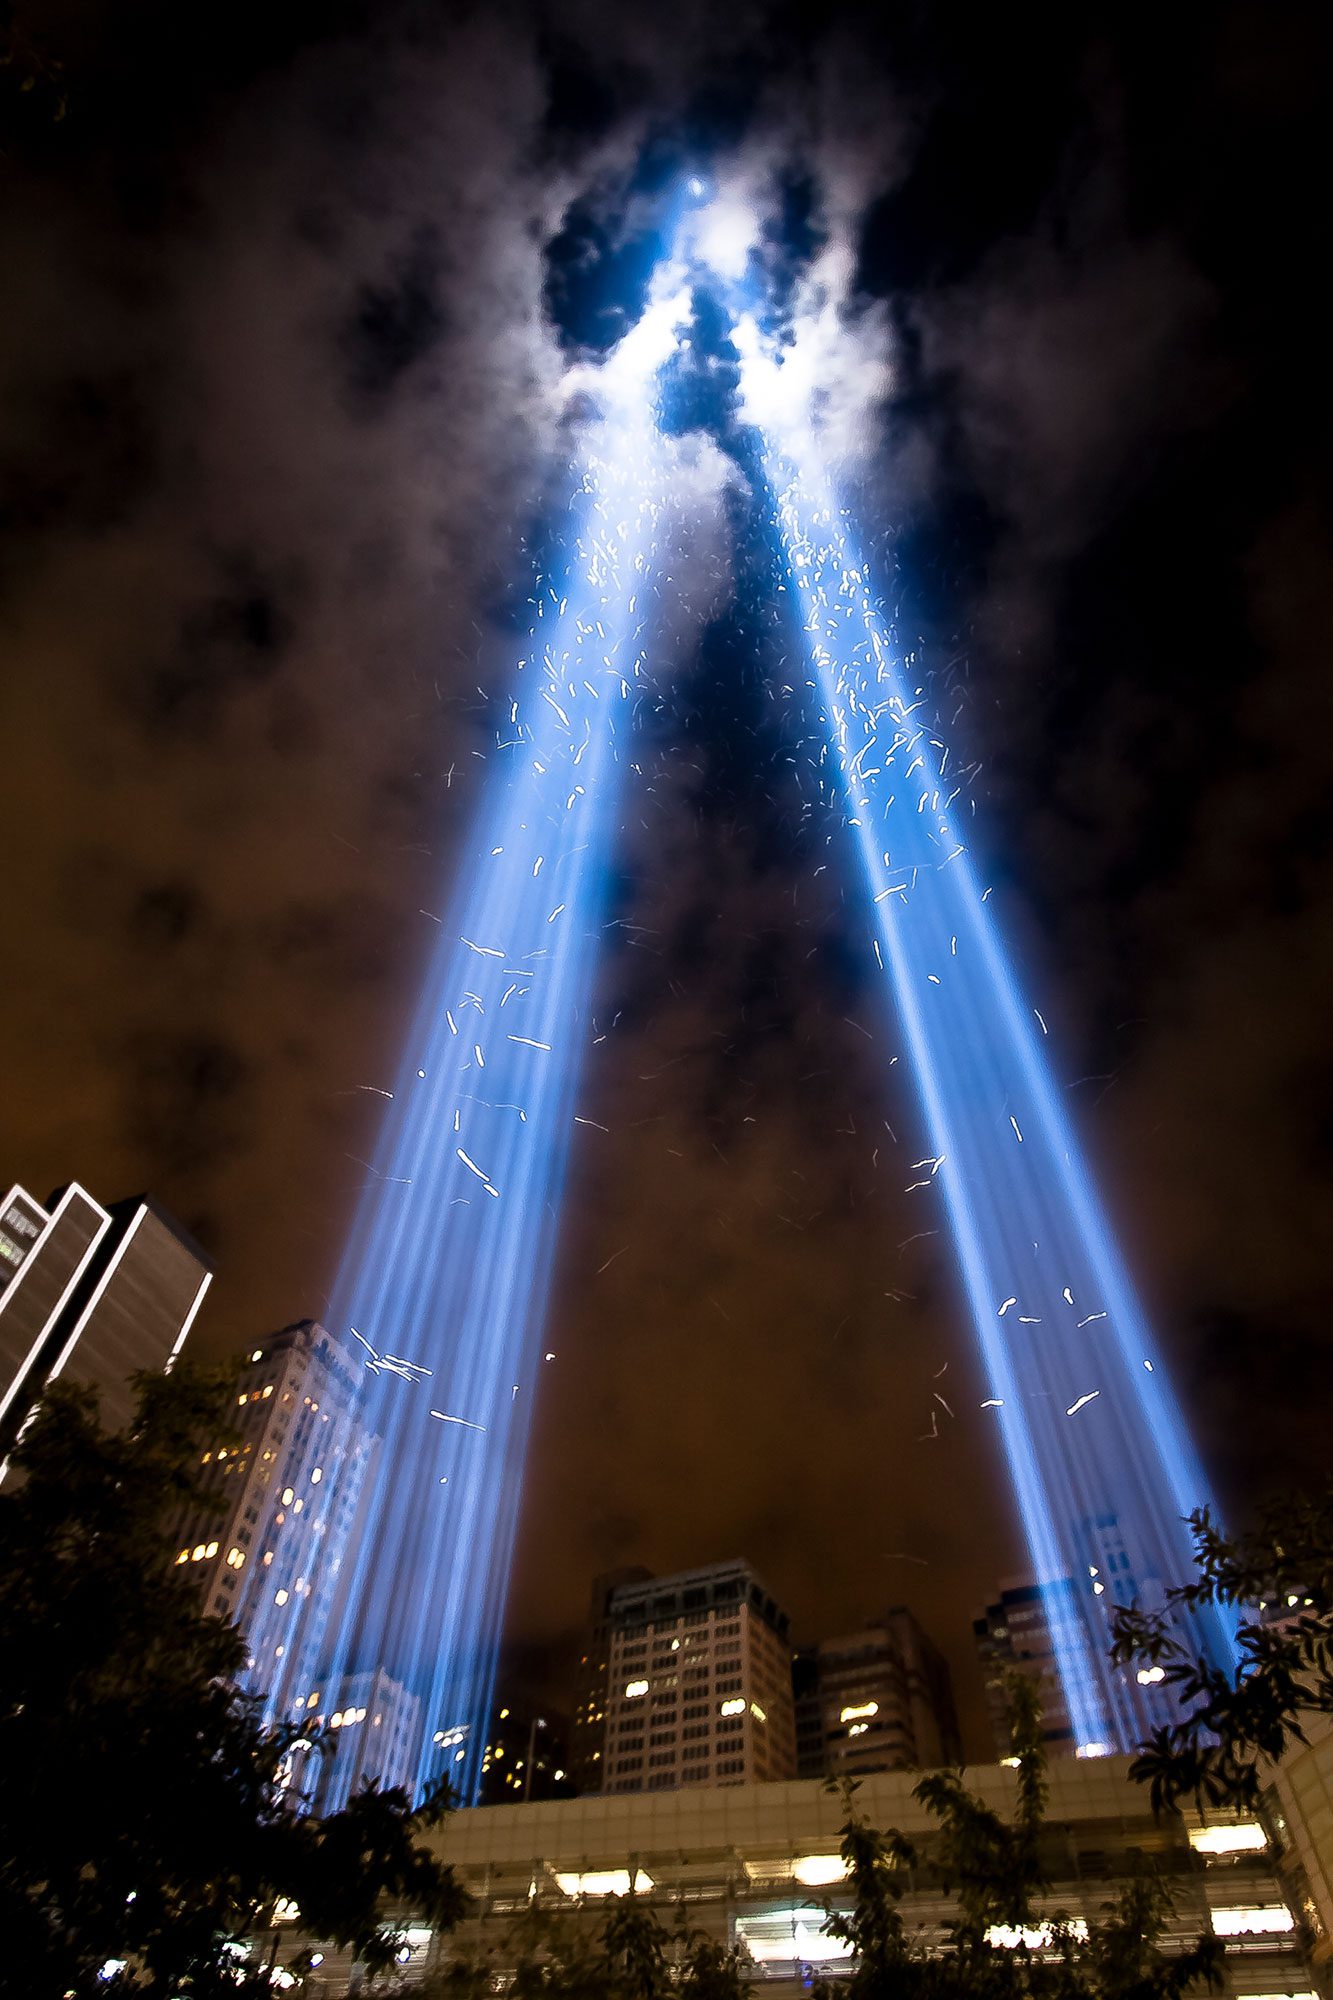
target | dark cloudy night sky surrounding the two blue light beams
x=283, y=433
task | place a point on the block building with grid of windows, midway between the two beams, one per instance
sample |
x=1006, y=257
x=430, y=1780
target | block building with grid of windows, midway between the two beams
x=698, y=1683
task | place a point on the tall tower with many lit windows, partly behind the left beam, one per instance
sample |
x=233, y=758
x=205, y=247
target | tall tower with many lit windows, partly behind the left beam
x=287, y=1487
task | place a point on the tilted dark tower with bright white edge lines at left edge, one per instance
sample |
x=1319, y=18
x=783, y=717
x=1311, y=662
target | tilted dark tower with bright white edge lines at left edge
x=93, y=1295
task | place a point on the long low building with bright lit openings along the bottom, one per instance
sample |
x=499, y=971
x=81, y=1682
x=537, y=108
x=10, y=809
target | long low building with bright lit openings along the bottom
x=758, y=1865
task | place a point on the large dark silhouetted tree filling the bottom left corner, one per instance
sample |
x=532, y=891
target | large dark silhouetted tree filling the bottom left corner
x=145, y=1815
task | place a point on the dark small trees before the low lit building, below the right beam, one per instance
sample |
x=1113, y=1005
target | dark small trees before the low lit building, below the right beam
x=992, y=1867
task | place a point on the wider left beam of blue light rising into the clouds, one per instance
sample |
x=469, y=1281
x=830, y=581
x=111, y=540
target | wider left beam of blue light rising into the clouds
x=445, y=1277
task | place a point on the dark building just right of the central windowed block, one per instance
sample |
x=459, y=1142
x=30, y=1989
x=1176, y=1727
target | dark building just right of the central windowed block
x=876, y=1701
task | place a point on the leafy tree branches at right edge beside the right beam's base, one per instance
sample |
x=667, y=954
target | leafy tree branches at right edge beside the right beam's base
x=1232, y=1723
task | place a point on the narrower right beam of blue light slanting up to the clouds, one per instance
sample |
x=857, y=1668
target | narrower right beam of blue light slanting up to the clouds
x=1100, y=1459
